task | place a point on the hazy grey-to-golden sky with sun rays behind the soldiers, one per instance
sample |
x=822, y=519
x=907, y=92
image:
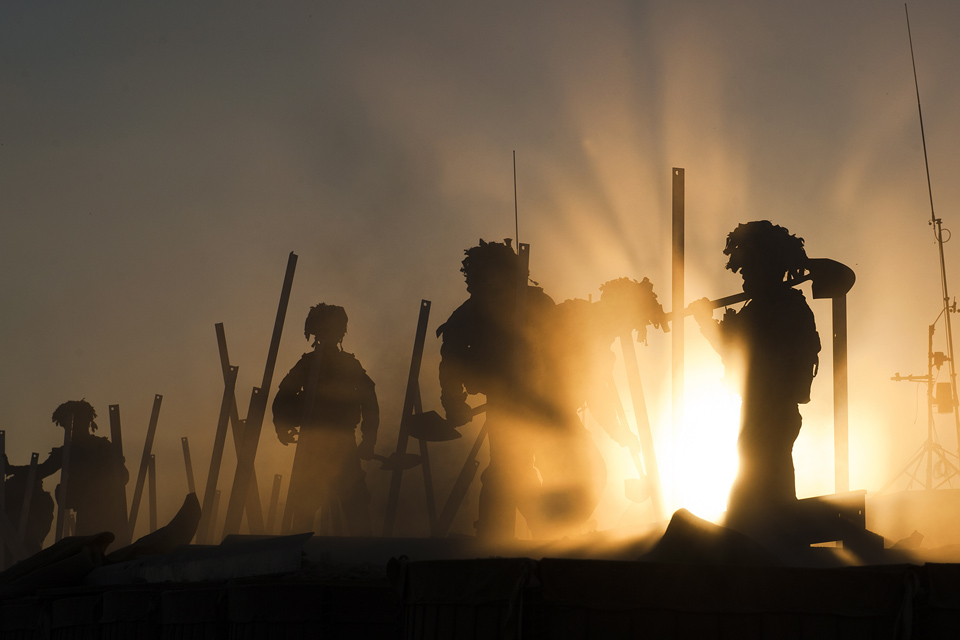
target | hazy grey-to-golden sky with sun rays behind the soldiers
x=158, y=162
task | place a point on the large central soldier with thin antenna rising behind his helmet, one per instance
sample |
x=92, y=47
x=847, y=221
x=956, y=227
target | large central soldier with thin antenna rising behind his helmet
x=490, y=347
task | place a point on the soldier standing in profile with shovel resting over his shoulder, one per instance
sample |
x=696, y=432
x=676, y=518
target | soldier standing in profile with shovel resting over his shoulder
x=773, y=345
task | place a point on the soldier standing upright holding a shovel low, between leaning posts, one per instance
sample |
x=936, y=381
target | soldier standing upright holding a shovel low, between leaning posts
x=327, y=466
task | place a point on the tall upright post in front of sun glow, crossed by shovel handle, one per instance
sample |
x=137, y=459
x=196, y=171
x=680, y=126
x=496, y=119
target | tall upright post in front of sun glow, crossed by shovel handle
x=678, y=301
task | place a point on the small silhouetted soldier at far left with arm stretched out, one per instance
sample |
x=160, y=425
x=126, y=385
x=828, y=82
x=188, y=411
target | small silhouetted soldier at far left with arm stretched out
x=97, y=476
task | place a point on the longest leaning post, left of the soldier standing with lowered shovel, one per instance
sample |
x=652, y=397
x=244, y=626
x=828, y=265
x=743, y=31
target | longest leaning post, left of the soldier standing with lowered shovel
x=258, y=406
